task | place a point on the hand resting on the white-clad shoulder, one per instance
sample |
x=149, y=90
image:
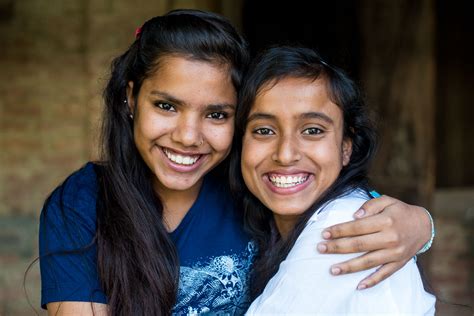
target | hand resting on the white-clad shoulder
x=389, y=231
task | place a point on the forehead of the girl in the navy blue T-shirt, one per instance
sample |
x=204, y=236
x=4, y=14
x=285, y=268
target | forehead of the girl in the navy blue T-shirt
x=194, y=80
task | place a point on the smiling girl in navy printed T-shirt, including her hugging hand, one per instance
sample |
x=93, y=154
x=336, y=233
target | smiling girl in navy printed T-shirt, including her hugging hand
x=151, y=228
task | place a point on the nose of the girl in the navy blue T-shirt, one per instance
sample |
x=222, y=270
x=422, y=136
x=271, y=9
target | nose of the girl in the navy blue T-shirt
x=188, y=131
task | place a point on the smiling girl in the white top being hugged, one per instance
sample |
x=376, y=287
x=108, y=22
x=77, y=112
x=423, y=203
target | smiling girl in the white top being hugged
x=306, y=142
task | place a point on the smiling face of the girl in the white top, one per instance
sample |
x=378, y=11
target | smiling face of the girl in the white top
x=293, y=147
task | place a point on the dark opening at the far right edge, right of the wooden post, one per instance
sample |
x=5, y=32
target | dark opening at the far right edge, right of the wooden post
x=454, y=139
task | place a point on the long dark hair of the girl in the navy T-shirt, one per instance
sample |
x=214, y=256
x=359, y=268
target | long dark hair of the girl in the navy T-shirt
x=137, y=261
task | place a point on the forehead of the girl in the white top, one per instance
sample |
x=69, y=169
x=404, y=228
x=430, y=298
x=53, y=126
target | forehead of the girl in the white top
x=292, y=96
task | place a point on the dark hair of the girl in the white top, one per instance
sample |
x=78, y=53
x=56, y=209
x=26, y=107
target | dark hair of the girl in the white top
x=271, y=66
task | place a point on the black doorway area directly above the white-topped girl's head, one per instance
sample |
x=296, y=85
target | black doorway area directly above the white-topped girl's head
x=330, y=27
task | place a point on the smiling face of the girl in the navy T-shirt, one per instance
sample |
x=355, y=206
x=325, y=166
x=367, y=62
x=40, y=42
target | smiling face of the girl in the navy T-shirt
x=183, y=121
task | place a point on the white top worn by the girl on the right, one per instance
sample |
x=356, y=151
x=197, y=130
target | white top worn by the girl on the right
x=303, y=284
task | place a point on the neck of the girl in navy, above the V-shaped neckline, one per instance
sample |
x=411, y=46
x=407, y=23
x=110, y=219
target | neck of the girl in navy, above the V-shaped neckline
x=176, y=203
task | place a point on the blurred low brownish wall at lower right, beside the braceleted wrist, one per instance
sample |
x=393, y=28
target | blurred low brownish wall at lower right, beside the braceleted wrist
x=451, y=260
